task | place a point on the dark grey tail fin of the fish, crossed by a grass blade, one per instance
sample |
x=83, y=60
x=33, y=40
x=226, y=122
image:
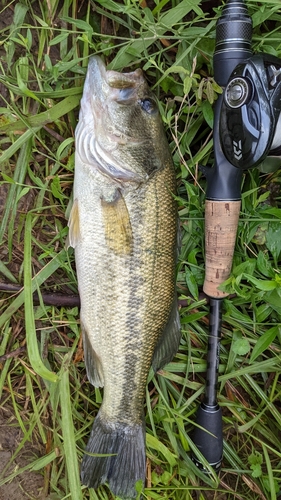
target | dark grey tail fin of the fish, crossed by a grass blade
x=126, y=465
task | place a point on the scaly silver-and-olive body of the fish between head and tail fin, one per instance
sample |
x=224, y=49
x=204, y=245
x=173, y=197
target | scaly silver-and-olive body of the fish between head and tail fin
x=137, y=320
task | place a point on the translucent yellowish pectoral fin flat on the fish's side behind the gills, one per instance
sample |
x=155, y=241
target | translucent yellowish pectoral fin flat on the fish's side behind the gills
x=118, y=231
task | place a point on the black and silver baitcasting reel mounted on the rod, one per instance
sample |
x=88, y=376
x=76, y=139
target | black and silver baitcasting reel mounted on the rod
x=250, y=117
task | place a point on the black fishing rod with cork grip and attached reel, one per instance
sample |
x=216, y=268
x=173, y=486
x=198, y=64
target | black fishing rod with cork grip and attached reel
x=246, y=121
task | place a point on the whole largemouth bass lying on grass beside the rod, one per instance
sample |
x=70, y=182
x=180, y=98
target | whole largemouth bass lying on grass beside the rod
x=123, y=227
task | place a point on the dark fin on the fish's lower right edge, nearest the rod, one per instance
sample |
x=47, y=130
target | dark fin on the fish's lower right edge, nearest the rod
x=168, y=343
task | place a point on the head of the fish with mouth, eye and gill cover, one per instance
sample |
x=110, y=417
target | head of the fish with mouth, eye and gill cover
x=120, y=130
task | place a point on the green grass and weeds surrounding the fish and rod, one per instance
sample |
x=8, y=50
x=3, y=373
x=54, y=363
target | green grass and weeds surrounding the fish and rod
x=44, y=54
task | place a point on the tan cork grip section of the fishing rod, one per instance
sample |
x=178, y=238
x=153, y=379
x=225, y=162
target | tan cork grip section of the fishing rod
x=221, y=222
